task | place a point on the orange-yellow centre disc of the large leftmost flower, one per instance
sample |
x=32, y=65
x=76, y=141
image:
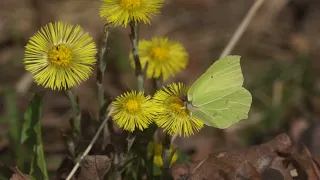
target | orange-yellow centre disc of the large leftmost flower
x=60, y=56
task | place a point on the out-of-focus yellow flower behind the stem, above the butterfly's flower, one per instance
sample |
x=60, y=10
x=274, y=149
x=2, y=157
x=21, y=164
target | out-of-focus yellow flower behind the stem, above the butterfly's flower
x=162, y=56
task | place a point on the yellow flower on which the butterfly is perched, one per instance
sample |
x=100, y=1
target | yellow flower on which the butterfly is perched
x=172, y=115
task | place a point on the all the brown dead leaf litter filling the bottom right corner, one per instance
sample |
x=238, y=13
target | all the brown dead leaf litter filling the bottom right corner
x=272, y=160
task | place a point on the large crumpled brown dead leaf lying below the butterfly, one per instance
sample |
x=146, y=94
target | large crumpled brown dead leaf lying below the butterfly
x=250, y=162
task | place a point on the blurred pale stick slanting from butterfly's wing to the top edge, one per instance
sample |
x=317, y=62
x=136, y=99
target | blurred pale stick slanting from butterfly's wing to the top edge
x=242, y=27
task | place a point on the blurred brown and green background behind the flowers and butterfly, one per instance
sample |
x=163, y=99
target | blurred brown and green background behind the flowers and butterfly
x=280, y=58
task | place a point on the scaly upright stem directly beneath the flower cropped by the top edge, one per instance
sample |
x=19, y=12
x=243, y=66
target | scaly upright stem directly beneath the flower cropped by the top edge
x=134, y=36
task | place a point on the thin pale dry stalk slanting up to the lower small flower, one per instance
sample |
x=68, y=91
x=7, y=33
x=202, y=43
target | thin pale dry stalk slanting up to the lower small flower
x=75, y=168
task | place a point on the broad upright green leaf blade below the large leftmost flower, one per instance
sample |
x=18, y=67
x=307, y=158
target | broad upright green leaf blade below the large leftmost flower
x=31, y=137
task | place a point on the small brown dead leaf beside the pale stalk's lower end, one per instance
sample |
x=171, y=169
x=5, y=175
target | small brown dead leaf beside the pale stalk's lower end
x=94, y=167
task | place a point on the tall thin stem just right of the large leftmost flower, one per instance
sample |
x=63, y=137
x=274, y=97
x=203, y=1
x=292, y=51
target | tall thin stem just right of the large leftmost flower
x=101, y=69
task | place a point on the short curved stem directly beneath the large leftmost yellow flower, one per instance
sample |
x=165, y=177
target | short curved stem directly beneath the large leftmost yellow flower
x=76, y=120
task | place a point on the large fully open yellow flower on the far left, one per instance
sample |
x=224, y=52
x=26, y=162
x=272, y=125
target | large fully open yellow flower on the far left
x=60, y=56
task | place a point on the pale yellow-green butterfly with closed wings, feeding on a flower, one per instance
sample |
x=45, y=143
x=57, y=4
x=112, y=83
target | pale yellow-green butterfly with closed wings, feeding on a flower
x=217, y=98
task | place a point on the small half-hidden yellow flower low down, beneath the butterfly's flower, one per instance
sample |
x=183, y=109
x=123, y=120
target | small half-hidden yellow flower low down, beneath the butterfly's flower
x=157, y=152
